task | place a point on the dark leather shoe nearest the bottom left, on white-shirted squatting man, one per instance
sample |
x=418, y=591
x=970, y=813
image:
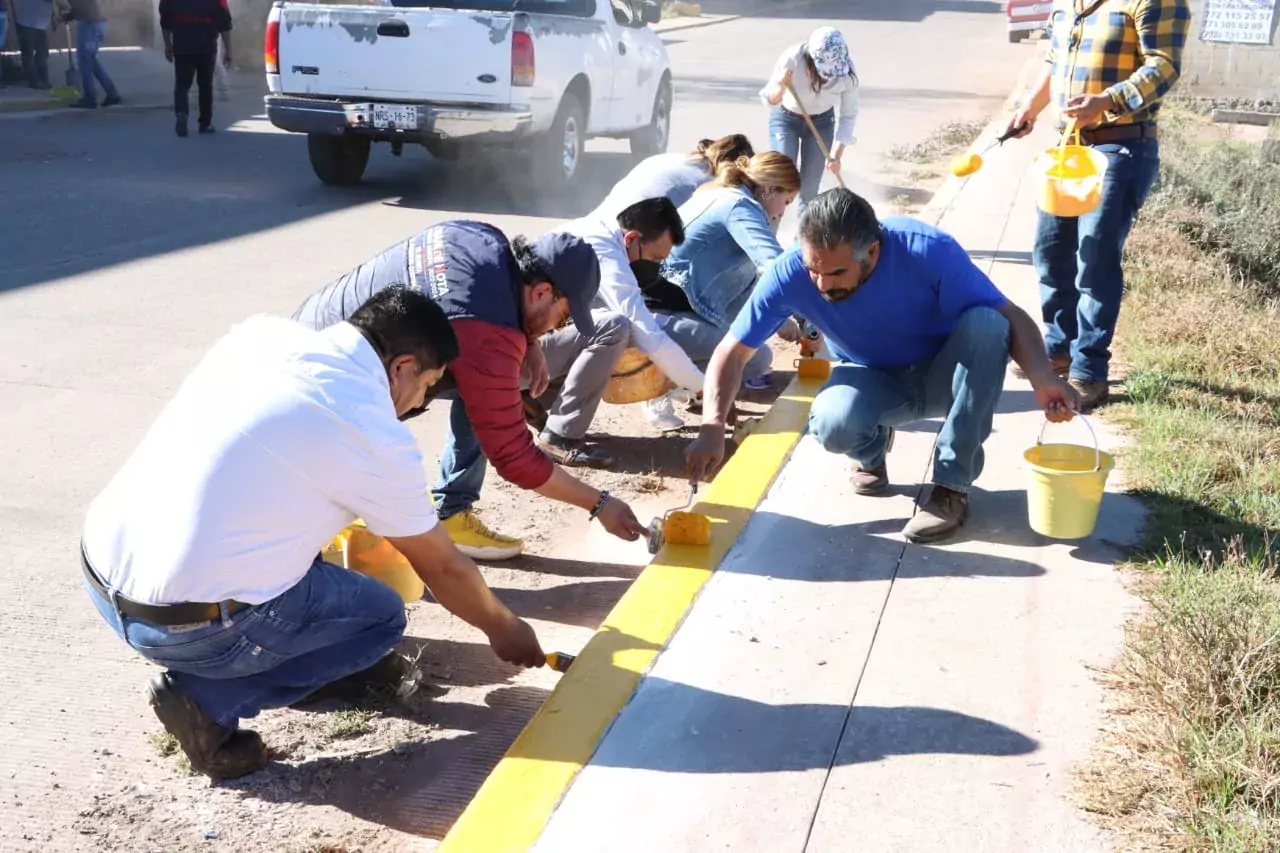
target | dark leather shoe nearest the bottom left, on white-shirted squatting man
x=212, y=749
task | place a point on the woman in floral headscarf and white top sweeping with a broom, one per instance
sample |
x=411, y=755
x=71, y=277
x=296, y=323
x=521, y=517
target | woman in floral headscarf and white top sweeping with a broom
x=825, y=80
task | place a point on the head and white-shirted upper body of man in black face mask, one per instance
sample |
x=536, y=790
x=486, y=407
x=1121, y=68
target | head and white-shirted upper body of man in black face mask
x=632, y=249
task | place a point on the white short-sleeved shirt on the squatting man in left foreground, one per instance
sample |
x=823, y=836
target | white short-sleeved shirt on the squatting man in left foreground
x=277, y=440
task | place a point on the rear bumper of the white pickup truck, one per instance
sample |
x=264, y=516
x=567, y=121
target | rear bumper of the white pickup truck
x=435, y=122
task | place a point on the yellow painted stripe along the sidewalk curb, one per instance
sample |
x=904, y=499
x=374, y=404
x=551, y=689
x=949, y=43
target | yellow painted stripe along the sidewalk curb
x=513, y=808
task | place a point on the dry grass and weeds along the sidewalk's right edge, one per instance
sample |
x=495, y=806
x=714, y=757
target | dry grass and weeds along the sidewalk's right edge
x=1192, y=756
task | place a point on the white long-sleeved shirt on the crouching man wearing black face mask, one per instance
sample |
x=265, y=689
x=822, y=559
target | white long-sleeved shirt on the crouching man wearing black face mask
x=620, y=291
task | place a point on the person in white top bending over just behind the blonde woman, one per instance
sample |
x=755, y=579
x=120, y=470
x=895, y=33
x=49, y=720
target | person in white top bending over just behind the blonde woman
x=673, y=176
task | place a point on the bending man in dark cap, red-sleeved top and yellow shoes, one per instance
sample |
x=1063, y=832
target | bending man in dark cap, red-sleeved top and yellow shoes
x=506, y=300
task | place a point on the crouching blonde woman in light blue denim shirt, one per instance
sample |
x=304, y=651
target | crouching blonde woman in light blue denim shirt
x=729, y=244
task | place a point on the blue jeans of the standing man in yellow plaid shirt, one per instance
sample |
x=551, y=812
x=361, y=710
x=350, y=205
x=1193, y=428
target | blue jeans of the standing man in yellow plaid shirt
x=1078, y=262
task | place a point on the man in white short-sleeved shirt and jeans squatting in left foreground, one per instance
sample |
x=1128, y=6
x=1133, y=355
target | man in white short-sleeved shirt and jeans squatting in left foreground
x=203, y=553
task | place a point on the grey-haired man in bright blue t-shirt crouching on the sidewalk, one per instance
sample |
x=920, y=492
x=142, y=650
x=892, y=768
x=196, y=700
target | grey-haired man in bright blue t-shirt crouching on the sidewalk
x=918, y=331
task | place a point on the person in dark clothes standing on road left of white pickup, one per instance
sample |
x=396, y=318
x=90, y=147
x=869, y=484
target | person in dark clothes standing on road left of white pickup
x=191, y=30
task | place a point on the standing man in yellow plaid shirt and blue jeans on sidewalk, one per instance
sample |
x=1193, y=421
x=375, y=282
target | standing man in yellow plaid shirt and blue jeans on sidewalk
x=1110, y=65
